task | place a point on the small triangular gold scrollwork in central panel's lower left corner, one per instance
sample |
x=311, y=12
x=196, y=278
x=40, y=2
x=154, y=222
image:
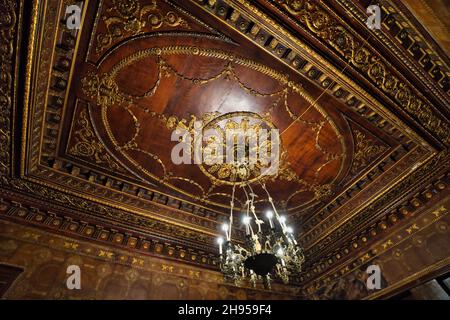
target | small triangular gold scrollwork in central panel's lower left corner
x=86, y=144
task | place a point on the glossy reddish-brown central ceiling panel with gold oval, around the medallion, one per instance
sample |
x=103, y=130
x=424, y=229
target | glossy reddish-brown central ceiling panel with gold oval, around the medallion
x=149, y=68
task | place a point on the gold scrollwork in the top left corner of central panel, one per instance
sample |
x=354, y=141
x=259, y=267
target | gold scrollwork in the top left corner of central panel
x=130, y=17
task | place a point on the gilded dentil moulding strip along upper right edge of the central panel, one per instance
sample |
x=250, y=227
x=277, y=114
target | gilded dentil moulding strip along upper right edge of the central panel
x=266, y=33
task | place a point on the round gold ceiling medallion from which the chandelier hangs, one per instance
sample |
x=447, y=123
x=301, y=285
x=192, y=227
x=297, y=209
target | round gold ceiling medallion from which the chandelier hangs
x=223, y=169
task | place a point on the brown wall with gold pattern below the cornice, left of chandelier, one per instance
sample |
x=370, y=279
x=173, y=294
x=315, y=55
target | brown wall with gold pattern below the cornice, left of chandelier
x=105, y=273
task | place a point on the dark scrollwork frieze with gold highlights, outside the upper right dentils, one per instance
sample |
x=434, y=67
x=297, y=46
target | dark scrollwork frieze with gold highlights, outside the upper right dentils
x=351, y=47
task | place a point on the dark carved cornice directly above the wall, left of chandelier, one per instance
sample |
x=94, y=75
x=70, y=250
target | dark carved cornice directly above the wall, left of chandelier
x=71, y=223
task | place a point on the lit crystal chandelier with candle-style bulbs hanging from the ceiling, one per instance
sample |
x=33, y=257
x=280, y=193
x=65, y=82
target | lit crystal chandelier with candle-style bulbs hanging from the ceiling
x=267, y=252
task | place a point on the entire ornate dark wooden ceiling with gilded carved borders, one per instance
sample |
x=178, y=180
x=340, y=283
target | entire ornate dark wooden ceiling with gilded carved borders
x=363, y=115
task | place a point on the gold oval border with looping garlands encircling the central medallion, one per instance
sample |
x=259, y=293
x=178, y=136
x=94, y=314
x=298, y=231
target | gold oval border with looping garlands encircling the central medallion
x=105, y=92
